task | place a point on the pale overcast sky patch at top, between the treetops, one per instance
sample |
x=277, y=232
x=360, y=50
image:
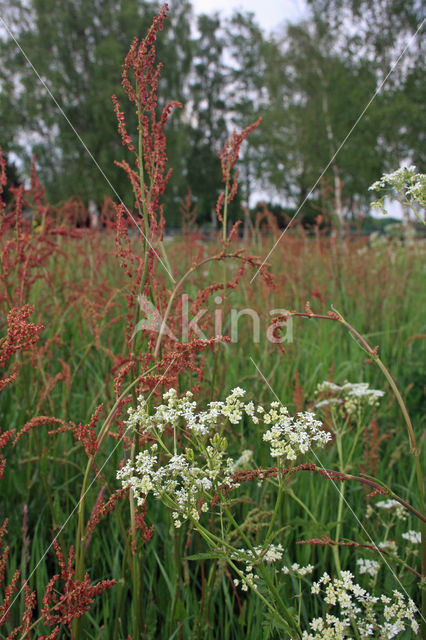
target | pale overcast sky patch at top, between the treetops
x=269, y=13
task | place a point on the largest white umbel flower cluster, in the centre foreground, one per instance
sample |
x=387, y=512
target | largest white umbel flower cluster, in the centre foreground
x=186, y=478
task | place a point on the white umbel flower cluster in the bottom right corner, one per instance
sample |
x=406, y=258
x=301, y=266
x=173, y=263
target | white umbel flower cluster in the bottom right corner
x=370, y=616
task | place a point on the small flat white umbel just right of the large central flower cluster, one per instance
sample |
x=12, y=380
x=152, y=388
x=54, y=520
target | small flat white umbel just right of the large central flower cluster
x=351, y=396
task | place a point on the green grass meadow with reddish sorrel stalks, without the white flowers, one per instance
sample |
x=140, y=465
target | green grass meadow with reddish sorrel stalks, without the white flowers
x=74, y=366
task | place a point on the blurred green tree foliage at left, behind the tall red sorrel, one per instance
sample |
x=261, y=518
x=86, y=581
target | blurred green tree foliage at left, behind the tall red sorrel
x=77, y=47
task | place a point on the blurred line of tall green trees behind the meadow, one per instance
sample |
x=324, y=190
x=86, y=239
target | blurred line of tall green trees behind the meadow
x=310, y=81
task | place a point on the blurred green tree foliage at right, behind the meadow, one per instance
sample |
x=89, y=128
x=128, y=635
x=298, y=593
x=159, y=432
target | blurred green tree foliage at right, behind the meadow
x=320, y=80
